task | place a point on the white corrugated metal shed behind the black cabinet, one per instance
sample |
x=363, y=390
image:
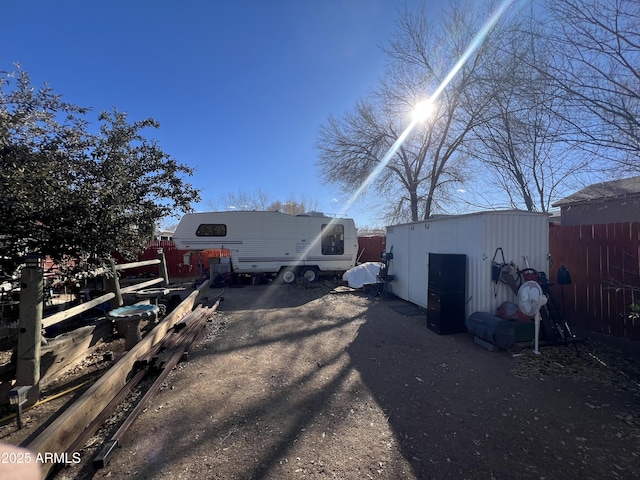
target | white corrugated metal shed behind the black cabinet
x=521, y=235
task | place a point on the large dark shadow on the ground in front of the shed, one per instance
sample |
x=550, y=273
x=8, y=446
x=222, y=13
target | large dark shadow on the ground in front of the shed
x=458, y=411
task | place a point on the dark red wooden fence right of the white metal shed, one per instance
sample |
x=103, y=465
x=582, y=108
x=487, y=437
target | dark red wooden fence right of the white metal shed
x=603, y=261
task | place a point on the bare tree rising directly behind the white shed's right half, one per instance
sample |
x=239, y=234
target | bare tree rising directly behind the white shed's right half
x=521, y=137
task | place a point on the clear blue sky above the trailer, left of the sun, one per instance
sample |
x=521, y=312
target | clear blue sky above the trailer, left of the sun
x=239, y=87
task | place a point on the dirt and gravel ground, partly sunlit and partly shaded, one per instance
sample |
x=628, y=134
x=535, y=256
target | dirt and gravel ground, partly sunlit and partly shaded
x=294, y=381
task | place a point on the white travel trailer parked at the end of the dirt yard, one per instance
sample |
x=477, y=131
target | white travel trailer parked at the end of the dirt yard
x=273, y=242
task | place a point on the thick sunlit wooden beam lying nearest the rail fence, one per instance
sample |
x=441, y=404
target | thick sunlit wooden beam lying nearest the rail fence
x=62, y=432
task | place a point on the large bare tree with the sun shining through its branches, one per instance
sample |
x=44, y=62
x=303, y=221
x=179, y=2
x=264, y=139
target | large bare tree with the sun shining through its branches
x=366, y=147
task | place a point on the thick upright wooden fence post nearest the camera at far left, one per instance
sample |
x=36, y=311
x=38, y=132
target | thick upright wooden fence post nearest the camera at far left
x=30, y=328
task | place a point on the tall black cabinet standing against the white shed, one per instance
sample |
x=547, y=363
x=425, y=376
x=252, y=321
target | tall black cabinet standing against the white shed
x=446, y=293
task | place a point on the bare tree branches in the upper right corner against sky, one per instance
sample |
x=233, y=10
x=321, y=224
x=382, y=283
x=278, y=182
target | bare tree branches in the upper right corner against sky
x=599, y=42
